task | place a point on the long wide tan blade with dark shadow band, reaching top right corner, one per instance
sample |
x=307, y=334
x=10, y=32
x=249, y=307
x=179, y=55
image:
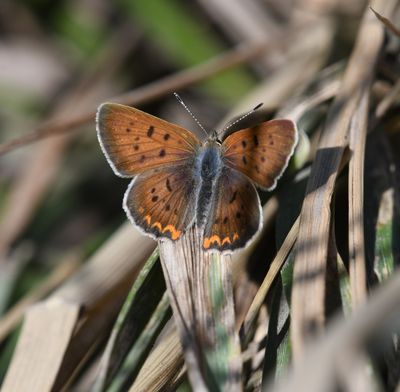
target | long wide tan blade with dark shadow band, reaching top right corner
x=308, y=311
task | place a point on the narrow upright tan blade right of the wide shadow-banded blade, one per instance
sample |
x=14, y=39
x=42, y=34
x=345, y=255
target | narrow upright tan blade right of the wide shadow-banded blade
x=357, y=140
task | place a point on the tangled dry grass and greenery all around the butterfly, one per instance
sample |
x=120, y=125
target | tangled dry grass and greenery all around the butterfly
x=87, y=303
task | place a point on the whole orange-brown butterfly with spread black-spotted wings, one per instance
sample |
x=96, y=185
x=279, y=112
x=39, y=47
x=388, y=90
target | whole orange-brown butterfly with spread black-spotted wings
x=179, y=181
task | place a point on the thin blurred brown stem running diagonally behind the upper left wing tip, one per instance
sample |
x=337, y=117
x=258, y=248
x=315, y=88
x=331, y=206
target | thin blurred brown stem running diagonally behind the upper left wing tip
x=141, y=95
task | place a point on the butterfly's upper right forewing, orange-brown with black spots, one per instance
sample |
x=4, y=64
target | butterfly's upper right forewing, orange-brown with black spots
x=261, y=152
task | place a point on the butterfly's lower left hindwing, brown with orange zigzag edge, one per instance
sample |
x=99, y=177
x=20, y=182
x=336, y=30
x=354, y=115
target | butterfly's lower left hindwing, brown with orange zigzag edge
x=161, y=202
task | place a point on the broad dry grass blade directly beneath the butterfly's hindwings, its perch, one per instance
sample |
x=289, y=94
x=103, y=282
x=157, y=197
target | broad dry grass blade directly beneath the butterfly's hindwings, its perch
x=201, y=294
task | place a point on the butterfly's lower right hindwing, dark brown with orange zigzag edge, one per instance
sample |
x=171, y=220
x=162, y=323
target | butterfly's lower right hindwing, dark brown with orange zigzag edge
x=235, y=215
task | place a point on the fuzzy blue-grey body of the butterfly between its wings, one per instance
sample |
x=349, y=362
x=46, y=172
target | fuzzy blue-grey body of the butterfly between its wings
x=207, y=168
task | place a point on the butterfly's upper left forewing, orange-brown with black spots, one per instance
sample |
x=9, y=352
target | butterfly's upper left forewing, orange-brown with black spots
x=134, y=141
